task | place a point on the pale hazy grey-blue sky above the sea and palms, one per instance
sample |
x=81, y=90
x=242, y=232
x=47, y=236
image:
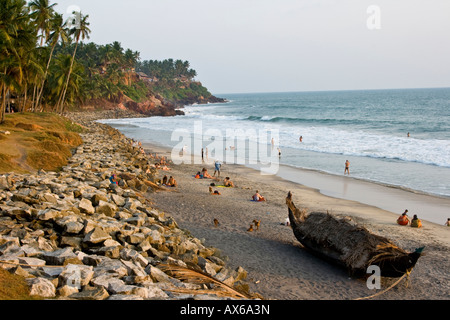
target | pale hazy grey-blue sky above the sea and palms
x=284, y=45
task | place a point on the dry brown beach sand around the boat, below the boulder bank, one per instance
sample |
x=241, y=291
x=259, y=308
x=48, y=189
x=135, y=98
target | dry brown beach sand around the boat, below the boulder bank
x=277, y=264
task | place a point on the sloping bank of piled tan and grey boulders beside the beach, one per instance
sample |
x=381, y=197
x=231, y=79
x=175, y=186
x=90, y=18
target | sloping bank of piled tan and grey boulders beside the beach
x=74, y=235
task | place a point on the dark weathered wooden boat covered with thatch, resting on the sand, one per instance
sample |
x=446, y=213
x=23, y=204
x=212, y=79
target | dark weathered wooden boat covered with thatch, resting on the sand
x=342, y=241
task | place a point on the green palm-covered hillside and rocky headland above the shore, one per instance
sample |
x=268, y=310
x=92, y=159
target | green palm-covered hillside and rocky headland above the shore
x=47, y=65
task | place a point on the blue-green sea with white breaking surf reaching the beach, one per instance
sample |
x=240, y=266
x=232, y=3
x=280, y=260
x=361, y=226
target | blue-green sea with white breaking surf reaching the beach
x=398, y=138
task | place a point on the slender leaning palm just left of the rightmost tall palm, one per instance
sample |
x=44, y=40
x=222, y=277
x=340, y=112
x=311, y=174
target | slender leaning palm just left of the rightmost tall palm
x=58, y=32
